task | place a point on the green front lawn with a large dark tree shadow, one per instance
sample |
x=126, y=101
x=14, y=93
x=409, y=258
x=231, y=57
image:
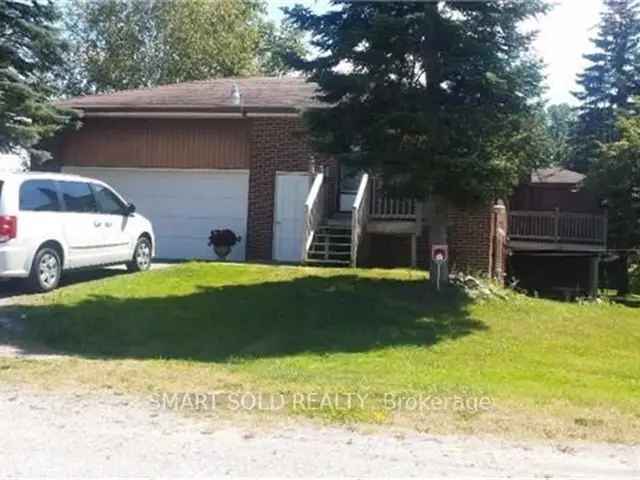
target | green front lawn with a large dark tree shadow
x=549, y=368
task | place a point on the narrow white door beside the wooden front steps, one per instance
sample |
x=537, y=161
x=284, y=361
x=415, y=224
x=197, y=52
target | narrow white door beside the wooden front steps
x=291, y=194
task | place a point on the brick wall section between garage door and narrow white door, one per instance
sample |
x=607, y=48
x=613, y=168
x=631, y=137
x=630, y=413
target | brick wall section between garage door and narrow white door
x=277, y=144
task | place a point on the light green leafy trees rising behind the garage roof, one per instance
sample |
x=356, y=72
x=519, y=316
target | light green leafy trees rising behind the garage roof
x=121, y=44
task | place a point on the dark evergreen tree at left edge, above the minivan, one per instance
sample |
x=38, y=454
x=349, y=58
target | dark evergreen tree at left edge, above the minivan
x=30, y=48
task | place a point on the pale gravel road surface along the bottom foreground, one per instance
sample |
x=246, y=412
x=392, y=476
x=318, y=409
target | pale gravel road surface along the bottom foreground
x=64, y=435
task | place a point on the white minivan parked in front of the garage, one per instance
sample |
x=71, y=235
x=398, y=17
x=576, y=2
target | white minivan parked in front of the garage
x=52, y=222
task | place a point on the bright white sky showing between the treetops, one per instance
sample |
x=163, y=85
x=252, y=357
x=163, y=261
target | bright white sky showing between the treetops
x=564, y=37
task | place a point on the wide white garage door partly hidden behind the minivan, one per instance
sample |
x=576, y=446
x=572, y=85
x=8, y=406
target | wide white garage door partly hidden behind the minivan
x=183, y=205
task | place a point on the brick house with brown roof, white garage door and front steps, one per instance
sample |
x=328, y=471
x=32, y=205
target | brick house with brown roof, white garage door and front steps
x=234, y=153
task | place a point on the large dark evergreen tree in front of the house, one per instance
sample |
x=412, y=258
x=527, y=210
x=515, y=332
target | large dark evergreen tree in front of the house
x=440, y=98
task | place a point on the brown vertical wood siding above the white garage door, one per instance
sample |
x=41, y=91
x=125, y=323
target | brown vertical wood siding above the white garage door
x=157, y=143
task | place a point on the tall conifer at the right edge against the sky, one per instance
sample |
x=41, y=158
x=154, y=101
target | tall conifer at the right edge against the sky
x=609, y=82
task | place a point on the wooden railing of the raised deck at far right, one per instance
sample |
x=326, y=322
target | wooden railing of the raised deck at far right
x=556, y=226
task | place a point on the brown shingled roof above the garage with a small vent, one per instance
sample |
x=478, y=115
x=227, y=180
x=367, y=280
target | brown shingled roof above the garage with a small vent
x=257, y=93
